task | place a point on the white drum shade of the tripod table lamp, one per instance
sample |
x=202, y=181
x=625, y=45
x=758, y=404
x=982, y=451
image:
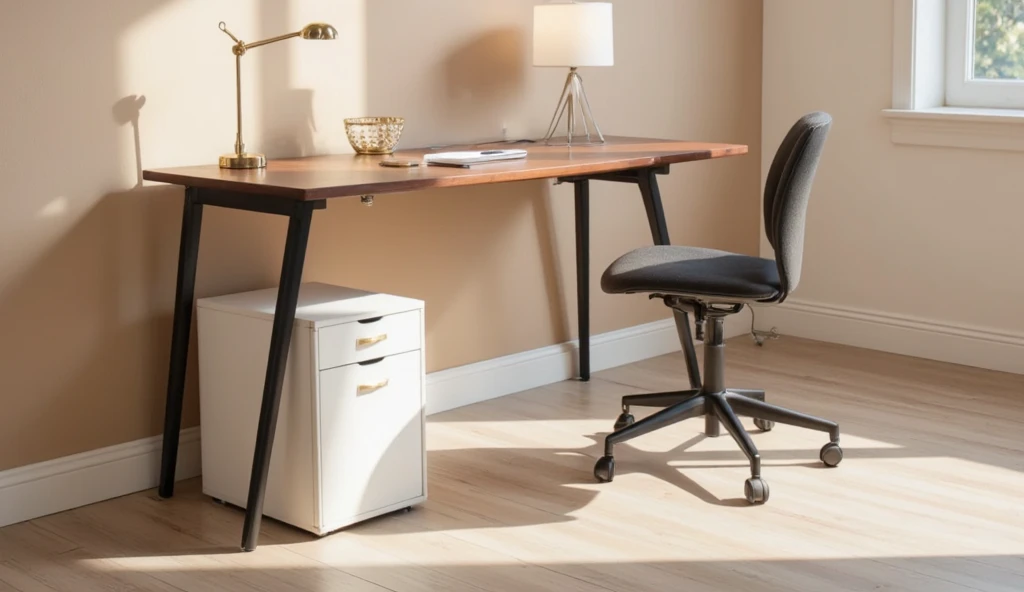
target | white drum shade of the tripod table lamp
x=574, y=35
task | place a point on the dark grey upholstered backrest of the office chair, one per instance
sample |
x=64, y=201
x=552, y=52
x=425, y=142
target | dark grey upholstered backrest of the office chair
x=787, y=192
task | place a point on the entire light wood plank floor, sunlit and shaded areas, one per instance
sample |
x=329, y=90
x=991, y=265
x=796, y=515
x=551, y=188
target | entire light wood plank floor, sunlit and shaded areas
x=929, y=497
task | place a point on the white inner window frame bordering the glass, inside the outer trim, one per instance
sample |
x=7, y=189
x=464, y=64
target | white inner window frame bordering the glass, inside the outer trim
x=962, y=89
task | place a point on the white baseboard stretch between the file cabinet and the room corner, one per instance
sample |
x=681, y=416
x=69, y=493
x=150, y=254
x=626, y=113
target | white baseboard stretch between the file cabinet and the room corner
x=486, y=380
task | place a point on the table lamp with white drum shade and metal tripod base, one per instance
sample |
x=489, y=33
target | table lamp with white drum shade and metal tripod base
x=574, y=35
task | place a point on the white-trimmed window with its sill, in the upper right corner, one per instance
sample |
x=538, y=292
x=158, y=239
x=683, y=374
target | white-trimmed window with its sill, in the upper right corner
x=959, y=74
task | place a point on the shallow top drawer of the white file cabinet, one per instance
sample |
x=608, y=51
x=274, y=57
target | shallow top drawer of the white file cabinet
x=360, y=342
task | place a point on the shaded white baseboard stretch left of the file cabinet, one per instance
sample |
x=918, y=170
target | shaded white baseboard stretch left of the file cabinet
x=93, y=477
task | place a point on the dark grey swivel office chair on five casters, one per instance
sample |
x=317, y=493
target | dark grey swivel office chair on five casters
x=713, y=285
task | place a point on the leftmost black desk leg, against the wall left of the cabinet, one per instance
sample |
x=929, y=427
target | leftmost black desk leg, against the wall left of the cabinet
x=192, y=222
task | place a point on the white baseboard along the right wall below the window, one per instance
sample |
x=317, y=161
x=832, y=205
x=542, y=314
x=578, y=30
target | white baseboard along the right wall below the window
x=903, y=334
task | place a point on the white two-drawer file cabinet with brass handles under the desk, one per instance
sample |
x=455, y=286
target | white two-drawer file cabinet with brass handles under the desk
x=350, y=444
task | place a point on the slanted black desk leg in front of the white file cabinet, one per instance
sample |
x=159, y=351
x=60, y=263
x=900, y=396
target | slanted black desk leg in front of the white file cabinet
x=281, y=340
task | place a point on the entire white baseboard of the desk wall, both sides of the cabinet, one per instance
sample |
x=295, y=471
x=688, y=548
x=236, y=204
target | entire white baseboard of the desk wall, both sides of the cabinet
x=60, y=485
